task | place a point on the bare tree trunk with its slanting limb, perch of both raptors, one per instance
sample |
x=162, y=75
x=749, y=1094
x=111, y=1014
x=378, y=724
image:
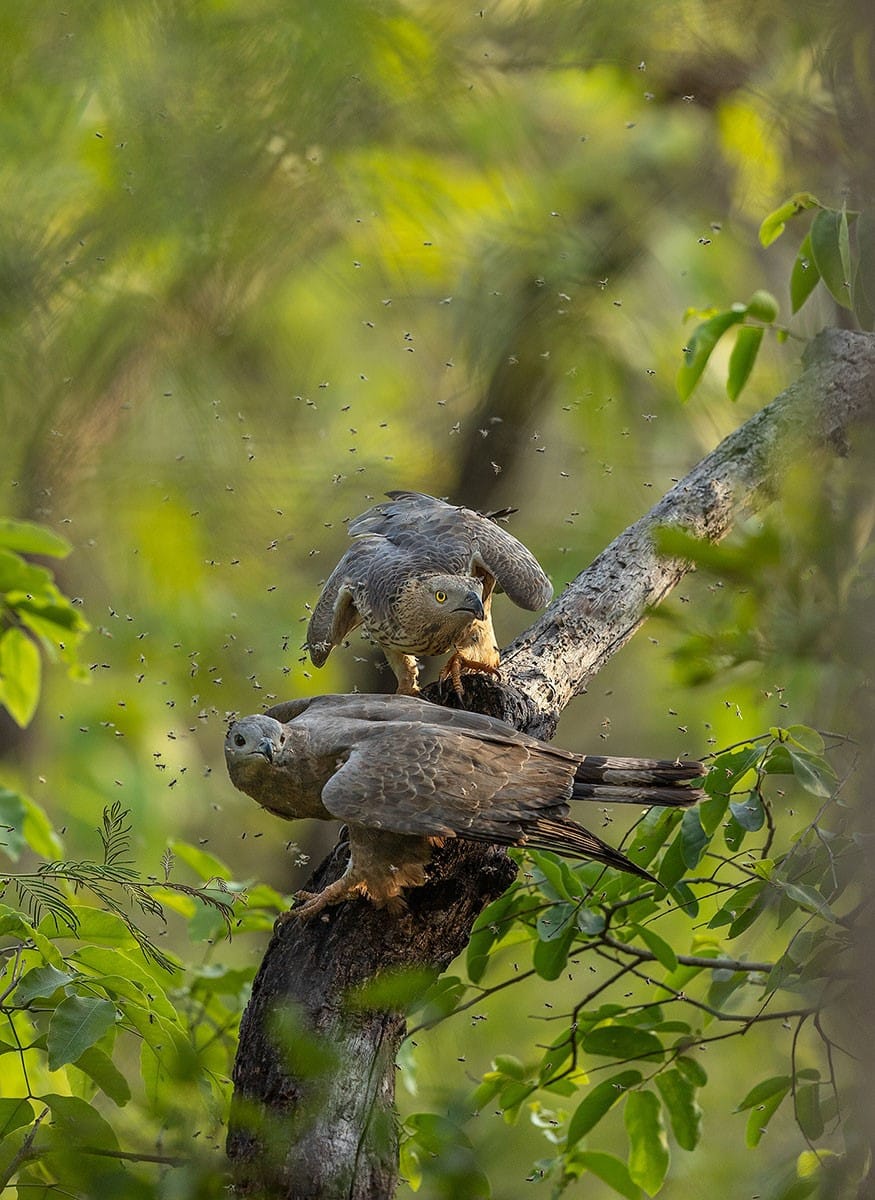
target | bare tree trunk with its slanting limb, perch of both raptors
x=315, y=1076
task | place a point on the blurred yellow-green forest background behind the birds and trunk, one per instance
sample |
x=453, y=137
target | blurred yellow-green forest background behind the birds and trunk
x=262, y=262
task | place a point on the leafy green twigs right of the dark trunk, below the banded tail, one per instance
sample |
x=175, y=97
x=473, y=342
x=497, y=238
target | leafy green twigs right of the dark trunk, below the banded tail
x=573, y=915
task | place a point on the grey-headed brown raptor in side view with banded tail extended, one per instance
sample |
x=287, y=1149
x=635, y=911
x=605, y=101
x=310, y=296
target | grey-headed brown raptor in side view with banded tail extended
x=404, y=775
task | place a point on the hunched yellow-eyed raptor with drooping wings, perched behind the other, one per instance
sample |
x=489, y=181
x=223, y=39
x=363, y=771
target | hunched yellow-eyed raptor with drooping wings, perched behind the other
x=419, y=579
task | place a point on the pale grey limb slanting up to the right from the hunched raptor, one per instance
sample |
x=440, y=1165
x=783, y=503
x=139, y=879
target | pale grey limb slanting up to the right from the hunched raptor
x=552, y=663
